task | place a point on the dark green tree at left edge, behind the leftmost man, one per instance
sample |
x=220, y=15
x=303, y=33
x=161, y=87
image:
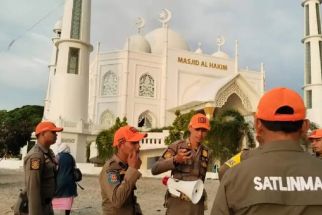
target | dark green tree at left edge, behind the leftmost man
x=16, y=127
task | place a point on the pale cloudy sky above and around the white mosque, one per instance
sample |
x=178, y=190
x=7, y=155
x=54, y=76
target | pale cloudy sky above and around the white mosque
x=267, y=31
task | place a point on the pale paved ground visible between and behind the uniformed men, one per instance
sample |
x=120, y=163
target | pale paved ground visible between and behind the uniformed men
x=150, y=194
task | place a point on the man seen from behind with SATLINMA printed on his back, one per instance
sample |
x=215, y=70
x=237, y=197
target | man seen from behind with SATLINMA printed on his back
x=281, y=178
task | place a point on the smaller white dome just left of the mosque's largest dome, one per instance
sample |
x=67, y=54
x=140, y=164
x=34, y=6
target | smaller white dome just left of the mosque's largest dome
x=137, y=43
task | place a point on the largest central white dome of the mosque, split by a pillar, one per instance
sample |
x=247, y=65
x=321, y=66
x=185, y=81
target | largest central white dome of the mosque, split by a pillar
x=157, y=38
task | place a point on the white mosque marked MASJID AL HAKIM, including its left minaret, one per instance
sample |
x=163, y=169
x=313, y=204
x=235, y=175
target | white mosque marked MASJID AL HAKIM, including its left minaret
x=146, y=81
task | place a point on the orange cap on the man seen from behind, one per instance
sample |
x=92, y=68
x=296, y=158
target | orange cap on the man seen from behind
x=276, y=98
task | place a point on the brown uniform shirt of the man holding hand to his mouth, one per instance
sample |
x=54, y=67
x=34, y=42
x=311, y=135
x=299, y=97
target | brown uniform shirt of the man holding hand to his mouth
x=117, y=182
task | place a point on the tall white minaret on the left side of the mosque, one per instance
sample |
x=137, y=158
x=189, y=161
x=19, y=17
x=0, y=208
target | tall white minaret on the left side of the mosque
x=67, y=97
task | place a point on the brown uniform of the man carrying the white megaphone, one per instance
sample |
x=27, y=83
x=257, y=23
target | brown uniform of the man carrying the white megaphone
x=195, y=169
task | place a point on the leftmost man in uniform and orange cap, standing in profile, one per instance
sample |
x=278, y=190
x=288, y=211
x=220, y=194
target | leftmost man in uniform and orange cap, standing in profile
x=40, y=169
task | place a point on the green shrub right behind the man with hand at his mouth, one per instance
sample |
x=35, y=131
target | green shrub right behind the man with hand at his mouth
x=104, y=139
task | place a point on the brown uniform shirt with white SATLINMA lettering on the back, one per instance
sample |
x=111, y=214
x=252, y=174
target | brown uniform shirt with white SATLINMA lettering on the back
x=280, y=179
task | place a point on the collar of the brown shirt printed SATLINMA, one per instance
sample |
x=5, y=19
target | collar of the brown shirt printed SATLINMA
x=287, y=145
